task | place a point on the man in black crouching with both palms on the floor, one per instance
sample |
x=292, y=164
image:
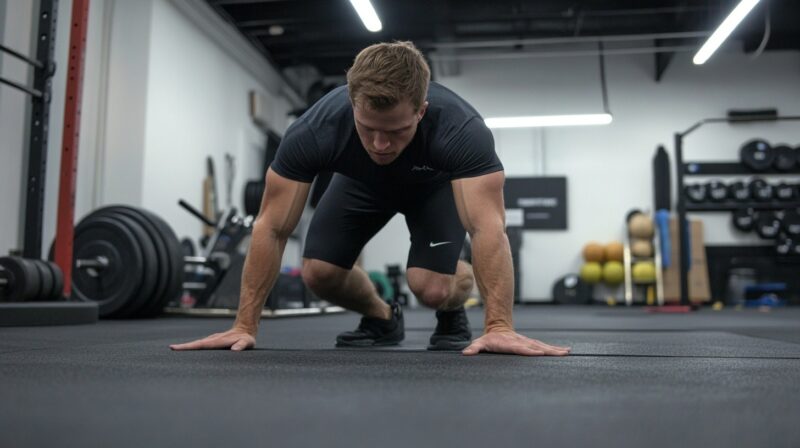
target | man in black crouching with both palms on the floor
x=398, y=143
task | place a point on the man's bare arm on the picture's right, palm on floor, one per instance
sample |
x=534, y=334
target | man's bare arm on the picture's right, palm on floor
x=480, y=207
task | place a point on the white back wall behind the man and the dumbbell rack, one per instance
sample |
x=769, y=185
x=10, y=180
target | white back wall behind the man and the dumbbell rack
x=609, y=167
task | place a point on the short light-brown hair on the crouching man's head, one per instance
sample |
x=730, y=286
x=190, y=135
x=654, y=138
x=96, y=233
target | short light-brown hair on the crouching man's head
x=385, y=74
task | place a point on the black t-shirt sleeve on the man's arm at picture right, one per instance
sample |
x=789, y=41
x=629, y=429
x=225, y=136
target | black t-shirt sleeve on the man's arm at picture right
x=470, y=153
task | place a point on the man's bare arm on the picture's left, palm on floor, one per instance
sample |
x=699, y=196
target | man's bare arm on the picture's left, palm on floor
x=281, y=208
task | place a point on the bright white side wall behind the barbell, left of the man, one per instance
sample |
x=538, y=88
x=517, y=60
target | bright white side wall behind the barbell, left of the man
x=197, y=106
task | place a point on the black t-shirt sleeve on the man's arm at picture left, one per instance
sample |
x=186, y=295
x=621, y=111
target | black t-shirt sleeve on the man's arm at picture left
x=298, y=157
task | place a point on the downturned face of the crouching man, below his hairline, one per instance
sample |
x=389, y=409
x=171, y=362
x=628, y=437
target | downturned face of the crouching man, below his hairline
x=386, y=133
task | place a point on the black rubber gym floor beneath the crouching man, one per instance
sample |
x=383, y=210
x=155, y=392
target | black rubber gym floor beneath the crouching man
x=706, y=379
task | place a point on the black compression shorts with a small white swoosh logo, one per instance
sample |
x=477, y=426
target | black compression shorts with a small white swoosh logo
x=350, y=214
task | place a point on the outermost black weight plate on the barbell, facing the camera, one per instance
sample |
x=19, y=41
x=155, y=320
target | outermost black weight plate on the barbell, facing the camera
x=115, y=285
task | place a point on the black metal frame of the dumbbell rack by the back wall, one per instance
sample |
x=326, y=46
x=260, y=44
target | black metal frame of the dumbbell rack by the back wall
x=684, y=169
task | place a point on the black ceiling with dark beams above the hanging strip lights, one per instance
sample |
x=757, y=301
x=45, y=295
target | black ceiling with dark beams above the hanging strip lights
x=327, y=34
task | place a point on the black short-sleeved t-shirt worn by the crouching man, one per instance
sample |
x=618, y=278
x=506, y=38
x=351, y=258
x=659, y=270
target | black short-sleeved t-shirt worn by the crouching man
x=451, y=142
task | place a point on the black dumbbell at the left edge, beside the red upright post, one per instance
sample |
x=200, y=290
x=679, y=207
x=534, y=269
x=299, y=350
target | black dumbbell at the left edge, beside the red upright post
x=23, y=280
